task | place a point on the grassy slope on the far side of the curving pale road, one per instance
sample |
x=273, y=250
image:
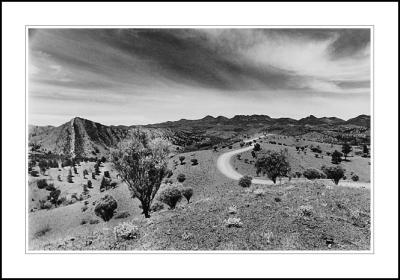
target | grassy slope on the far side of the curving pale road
x=301, y=161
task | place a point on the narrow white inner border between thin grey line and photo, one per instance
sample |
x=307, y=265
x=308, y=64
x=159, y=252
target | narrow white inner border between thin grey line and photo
x=370, y=251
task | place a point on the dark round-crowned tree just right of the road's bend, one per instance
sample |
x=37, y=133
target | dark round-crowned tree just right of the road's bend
x=274, y=164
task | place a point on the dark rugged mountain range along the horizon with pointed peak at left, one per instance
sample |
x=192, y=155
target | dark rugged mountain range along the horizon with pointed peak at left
x=84, y=138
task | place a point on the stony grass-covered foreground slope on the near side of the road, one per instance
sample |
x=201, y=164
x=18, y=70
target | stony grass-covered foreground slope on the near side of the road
x=338, y=213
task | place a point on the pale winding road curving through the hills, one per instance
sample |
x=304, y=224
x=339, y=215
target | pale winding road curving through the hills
x=225, y=167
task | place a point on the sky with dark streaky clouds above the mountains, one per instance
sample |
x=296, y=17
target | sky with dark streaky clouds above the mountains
x=143, y=76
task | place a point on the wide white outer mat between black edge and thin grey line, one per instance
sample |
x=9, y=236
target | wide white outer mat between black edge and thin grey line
x=383, y=263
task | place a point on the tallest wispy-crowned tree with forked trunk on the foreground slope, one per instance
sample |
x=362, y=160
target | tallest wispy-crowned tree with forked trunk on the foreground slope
x=141, y=162
